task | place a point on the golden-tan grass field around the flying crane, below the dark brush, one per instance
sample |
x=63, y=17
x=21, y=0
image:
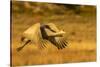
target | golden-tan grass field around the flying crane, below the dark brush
x=80, y=33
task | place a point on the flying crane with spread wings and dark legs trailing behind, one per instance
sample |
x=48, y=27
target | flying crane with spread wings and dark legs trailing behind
x=41, y=33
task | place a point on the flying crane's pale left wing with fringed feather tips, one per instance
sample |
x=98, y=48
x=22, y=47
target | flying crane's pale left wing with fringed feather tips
x=34, y=34
